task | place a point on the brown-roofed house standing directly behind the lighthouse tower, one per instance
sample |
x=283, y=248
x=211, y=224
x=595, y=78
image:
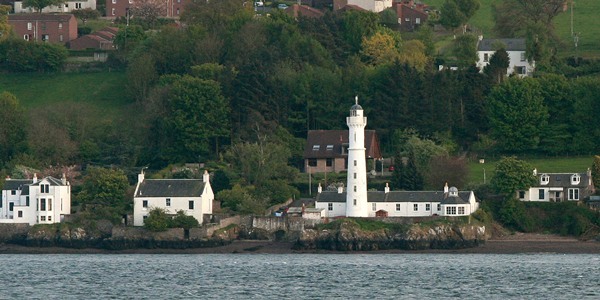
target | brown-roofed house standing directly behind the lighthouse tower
x=327, y=150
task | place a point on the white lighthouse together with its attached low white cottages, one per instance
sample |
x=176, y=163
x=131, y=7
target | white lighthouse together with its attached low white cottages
x=356, y=201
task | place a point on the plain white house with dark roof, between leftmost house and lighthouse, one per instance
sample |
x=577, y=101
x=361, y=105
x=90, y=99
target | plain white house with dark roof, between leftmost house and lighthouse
x=193, y=196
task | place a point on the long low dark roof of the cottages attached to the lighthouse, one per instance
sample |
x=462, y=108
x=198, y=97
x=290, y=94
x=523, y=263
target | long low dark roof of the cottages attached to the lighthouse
x=399, y=196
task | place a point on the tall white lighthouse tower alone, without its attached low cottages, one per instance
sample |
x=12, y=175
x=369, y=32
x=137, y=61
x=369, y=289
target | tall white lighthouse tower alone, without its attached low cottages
x=356, y=189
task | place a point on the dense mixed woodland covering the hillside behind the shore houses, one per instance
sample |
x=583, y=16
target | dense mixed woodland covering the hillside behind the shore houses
x=238, y=91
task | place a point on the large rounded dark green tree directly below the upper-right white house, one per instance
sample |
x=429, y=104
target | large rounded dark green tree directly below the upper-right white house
x=517, y=114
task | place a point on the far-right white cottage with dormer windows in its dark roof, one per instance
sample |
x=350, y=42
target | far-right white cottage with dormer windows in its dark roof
x=559, y=187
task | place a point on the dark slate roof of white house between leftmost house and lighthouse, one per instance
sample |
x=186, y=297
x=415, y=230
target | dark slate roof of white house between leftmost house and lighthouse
x=171, y=188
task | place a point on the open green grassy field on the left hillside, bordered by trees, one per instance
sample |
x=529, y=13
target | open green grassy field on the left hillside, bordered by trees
x=104, y=90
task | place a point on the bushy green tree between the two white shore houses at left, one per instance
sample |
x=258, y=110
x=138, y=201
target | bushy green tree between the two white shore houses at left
x=103, y=193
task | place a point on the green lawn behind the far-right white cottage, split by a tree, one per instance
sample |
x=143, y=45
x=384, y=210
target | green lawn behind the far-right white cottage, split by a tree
x=543, y=165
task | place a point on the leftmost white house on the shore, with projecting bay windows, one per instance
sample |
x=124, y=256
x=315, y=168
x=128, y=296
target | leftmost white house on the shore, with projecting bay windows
x=35, y=201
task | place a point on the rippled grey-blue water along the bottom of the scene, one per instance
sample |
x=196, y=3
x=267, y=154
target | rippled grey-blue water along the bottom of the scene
x=306, y=276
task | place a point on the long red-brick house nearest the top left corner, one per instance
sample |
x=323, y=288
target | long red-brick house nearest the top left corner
x=51, y=28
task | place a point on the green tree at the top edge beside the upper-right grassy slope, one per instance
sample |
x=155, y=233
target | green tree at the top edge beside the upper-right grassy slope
x=455, y=13
